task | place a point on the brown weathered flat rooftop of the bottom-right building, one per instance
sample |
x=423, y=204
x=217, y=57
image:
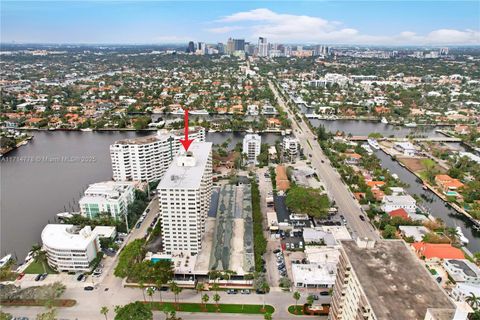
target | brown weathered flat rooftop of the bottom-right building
x=394, y=281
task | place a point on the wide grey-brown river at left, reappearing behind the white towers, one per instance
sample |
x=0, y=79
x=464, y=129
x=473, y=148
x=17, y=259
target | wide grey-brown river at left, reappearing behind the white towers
x=49, y=175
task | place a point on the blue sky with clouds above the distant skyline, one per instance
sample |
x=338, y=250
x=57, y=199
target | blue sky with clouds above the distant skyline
x=385, y=22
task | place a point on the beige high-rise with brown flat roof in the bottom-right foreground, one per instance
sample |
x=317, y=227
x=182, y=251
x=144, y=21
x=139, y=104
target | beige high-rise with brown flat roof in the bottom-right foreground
x=384, y=280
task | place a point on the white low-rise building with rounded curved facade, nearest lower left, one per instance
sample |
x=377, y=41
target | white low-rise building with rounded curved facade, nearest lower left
x=70, y=248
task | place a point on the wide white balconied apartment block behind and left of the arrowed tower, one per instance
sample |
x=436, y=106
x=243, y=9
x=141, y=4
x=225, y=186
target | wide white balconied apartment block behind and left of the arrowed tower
x=147, y=158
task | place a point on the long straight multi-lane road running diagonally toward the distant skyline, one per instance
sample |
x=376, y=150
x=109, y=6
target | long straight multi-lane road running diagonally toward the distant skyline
x=336, y=189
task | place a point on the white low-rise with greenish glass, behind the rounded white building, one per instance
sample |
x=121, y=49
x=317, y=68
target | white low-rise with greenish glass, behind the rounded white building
x=111, y=197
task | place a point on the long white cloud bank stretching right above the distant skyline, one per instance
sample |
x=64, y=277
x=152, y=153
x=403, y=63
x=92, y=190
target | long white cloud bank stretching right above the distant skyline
x=302, y=28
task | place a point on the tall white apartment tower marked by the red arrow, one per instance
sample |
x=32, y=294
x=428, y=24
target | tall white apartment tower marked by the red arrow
x=184, y=195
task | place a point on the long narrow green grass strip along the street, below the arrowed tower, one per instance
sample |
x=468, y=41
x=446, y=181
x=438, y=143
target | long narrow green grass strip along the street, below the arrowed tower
x=211, y=307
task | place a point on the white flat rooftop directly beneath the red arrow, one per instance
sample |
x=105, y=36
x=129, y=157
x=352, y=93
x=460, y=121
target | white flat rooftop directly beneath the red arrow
x=184, y=175
